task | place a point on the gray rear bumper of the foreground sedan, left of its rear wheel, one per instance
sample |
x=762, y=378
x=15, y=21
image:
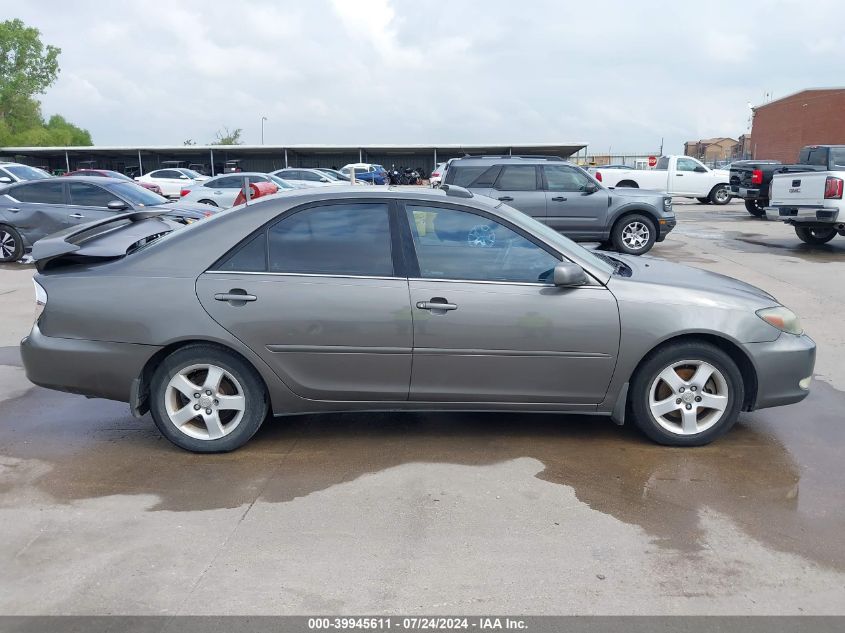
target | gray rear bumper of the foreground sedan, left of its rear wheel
x=96, y=369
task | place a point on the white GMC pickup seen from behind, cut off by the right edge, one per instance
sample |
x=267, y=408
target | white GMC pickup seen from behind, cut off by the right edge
x=809, y=197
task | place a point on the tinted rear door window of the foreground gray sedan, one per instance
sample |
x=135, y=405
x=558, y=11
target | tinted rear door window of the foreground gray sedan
x=347, y=239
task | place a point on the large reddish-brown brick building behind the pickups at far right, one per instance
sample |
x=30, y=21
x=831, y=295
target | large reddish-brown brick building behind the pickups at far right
x=809, y=117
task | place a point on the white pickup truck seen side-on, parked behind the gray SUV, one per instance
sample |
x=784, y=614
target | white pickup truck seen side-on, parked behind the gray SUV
x=680, y=176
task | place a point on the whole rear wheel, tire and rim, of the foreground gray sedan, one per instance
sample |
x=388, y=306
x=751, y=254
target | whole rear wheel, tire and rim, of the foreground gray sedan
x=207, y=400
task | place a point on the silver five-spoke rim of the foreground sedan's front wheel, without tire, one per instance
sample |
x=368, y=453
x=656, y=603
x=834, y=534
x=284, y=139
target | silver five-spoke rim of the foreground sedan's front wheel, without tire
x=688, y=397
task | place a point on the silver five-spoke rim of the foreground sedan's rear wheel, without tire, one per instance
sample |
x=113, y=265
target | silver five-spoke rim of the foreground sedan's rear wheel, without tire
x=204, y=401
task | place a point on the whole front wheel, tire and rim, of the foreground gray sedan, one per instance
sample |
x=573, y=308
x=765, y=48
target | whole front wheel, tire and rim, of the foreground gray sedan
x=687, y=394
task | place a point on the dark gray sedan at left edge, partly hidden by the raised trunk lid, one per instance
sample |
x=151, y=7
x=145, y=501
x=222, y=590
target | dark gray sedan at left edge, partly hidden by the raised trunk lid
x=33, y=209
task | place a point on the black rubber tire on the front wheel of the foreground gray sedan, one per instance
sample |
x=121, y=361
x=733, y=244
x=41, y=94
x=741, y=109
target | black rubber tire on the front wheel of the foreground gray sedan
x=647, y=375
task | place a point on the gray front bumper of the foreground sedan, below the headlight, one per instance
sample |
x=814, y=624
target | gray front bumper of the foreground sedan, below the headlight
x=781, y=364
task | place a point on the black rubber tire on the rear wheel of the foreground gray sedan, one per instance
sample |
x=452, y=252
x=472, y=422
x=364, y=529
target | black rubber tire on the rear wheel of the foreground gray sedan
x=246, y=380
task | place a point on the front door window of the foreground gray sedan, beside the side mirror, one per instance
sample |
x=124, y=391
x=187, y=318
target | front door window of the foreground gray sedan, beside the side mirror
x=454, y=244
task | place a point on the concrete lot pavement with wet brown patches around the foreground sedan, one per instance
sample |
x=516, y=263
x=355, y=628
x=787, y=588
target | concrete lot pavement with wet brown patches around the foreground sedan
x=447, y=514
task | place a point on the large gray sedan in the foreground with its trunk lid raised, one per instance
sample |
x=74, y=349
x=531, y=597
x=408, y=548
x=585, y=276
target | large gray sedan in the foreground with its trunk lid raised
x=341, y=299
